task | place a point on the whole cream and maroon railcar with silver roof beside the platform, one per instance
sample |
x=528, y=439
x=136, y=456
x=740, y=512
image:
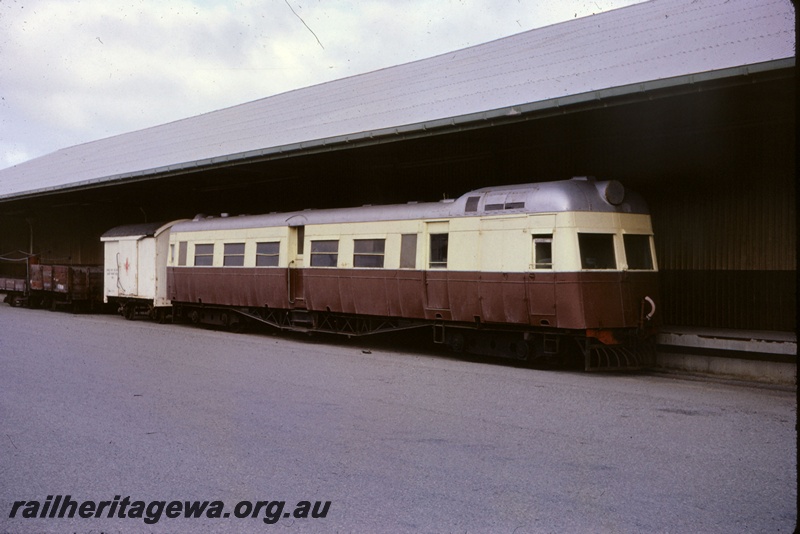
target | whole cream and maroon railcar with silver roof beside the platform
x=521, y=271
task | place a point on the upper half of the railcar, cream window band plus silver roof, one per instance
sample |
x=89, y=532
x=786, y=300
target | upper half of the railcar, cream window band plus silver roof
x=503, y=229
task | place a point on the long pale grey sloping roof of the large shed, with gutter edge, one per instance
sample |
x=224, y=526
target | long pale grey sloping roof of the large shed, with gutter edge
x=628, y=51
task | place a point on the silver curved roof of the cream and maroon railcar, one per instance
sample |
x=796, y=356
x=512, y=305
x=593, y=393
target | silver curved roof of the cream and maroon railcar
x=578, y=194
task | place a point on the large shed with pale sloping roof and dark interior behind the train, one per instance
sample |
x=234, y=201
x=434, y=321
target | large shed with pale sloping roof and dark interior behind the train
x=690, y=102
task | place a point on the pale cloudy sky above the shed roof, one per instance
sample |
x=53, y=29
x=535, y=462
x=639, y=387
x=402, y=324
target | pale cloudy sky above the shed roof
x=73, y=71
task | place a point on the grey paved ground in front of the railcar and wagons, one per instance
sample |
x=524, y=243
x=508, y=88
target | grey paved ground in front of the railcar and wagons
x=396, y=436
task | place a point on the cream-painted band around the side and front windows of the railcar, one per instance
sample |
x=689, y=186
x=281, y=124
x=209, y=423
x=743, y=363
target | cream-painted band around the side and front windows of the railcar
x=488, y=244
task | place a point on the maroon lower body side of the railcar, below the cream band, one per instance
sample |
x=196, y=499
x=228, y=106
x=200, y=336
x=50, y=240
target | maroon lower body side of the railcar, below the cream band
x=578, y=300
